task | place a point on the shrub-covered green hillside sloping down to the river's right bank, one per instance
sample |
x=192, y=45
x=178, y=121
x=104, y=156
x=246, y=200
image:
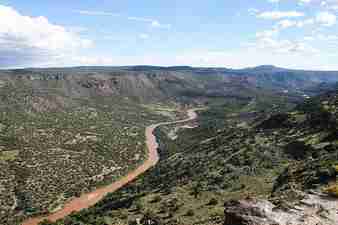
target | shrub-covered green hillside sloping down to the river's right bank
x=277, y=158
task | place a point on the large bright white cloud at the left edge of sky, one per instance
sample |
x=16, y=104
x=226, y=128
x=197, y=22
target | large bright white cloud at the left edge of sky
x=25, y=40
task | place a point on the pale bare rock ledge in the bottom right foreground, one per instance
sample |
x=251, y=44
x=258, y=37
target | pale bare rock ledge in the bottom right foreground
x=313, y=209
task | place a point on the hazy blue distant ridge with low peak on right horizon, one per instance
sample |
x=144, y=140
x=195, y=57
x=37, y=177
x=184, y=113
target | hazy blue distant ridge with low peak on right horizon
x=266, y=76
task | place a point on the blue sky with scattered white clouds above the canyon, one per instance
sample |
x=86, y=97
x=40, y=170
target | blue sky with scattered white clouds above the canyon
x=243, y=33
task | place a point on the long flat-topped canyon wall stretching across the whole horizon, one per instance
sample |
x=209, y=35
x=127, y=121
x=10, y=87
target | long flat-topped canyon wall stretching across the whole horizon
x=152, y=83
